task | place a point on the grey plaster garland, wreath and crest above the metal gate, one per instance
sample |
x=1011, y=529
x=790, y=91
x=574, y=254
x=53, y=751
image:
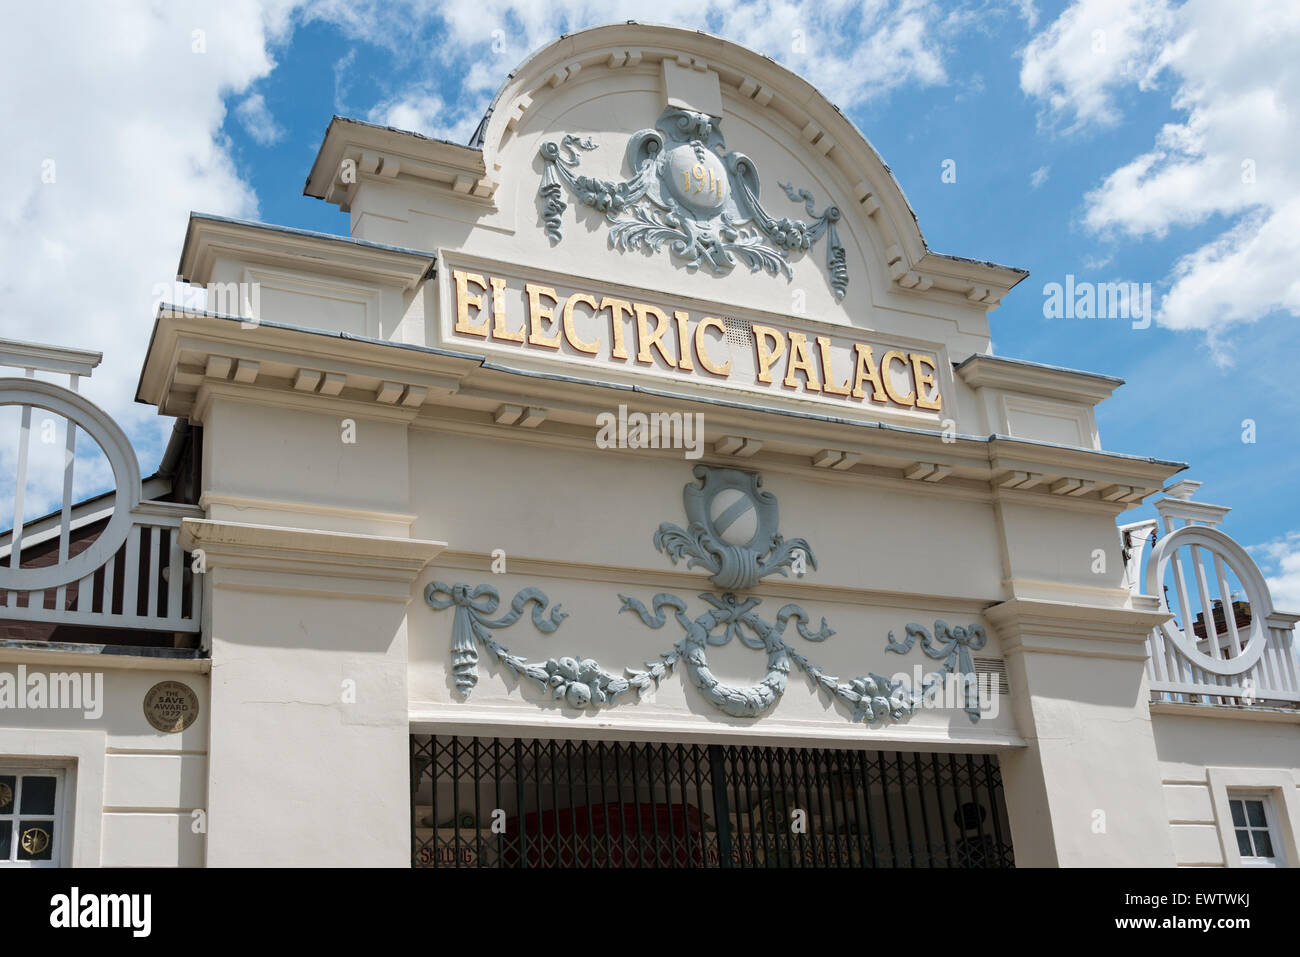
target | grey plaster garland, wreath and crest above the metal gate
x=723, y=508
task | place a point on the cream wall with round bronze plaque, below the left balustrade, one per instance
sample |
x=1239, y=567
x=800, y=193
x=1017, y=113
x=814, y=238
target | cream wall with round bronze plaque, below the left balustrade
x=135, y=790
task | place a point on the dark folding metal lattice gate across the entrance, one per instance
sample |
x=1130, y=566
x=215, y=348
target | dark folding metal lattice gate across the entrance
x=514, y=803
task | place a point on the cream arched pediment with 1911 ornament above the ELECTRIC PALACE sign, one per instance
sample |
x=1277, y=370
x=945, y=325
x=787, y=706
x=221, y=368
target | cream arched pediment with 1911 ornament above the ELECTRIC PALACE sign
x=580, y=125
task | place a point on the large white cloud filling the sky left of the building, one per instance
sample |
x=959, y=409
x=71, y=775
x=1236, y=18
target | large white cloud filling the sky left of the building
x=114, y=140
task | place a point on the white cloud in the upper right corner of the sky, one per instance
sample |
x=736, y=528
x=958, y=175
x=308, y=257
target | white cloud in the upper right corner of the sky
x=1234, y=75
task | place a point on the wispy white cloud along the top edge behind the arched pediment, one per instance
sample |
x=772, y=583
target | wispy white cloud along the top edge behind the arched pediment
x=852, y=50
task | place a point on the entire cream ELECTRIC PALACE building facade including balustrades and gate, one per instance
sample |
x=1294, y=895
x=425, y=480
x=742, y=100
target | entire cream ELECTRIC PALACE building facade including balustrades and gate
x=632, y=487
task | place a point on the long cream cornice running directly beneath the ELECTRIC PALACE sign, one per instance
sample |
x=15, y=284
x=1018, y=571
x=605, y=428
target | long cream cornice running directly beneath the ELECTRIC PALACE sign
x=197, y=358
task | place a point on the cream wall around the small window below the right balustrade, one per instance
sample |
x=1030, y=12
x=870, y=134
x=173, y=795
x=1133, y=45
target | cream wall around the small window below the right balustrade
x=1201, y=756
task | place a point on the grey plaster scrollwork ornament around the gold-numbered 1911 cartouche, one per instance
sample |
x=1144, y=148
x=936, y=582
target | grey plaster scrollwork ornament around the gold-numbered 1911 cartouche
x=690, y=192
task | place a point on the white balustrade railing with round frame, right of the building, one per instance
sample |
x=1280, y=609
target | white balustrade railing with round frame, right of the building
x=1224, y=644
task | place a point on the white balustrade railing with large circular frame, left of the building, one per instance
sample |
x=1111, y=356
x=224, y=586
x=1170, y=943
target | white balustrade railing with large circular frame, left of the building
x=132, y=573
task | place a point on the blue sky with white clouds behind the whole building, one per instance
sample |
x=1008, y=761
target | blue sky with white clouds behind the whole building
x=1111, y=161
